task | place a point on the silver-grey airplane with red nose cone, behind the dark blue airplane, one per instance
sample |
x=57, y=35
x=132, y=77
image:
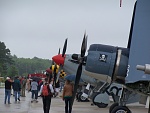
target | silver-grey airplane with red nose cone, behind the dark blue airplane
x=94, y=89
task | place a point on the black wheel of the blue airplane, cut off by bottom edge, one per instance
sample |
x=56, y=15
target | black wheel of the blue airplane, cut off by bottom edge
x=121, y=109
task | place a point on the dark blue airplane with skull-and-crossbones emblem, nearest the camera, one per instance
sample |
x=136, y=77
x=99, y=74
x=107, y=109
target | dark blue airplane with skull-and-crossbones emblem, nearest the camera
x=114, y=64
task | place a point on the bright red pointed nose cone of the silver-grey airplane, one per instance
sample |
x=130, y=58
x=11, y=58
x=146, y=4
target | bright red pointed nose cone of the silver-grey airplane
x=58, y=59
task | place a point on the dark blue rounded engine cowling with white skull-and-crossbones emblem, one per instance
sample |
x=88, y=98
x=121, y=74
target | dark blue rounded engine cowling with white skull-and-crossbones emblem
x=107, y=63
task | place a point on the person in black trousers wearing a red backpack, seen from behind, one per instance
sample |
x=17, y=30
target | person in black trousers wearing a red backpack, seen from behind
x=46, y=92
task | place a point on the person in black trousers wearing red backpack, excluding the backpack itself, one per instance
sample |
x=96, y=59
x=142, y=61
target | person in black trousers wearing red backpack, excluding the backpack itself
x=47, y=99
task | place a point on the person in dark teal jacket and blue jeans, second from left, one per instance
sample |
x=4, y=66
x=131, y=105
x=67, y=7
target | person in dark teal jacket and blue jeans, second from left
x=17, y=88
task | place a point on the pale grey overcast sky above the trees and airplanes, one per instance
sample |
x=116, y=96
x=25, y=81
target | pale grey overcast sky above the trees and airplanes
x=39, y=28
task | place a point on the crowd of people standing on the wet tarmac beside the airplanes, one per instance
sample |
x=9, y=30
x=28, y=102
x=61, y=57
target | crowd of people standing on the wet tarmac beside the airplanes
x=18, y=86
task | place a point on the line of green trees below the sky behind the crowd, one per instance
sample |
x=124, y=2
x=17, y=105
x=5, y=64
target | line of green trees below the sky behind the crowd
x=11, y=65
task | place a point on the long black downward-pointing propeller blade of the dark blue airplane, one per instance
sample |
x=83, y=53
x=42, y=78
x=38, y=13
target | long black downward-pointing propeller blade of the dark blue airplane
x=78, y=76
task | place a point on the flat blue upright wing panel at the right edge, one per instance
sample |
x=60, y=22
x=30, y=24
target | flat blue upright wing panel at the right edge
x=140, y=42
